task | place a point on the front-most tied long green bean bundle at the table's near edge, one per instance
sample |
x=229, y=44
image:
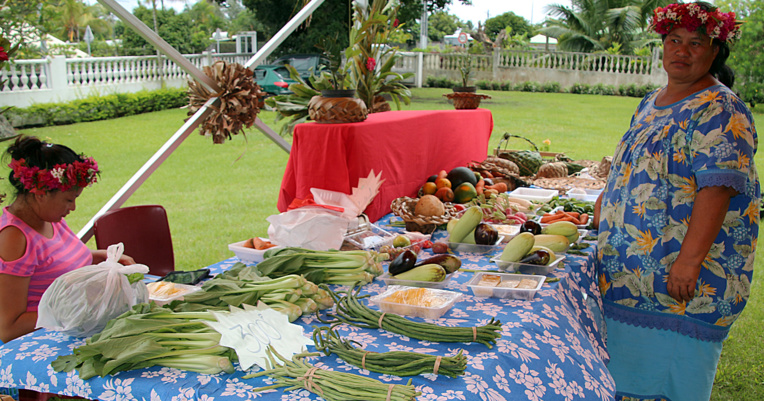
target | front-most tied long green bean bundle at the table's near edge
x=331, y=385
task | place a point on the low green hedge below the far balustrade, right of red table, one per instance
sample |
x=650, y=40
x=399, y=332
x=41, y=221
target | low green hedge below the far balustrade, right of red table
x=632, y=90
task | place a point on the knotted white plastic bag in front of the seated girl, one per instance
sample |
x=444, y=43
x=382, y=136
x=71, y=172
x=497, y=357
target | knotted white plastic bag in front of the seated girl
x=80, y=303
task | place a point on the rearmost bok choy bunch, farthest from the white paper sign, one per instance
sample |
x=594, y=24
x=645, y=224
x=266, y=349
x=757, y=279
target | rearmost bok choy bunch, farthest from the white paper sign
x=322, y=267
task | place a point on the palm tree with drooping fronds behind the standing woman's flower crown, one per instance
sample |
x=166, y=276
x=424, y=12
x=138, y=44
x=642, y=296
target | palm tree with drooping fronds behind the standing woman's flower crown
x=598, y=25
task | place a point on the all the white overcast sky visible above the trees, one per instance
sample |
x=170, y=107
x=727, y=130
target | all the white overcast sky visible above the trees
x=532, y=10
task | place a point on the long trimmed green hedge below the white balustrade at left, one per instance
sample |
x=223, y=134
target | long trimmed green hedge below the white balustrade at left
x=94, y=108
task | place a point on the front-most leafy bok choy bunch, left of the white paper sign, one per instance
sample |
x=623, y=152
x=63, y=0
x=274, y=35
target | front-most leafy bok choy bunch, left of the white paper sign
x=150, y=335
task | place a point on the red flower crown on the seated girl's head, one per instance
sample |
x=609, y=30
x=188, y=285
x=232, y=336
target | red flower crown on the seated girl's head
x=62, y=176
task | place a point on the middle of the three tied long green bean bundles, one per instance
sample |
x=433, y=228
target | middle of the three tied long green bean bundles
x=397, y=363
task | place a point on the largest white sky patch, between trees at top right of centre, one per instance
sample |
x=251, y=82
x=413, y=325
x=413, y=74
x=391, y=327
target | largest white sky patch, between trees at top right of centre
x=534, y=11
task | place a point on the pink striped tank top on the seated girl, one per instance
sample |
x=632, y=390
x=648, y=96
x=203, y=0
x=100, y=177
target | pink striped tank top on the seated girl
x=45, y=259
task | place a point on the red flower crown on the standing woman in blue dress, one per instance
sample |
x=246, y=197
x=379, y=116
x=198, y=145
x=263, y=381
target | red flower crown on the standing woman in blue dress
x=712, y=22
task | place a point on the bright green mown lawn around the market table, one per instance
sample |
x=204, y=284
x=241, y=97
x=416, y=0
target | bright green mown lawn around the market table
x=219, y=194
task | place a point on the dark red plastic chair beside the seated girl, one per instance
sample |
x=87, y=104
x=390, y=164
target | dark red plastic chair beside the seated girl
x=145, y=232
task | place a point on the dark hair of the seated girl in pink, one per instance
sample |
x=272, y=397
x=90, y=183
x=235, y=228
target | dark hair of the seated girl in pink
x=37, y=153
